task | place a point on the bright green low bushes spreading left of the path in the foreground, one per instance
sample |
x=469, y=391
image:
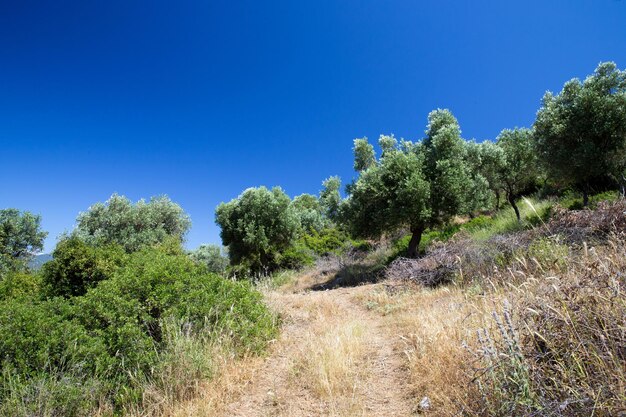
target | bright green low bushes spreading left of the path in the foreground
x=117, y=334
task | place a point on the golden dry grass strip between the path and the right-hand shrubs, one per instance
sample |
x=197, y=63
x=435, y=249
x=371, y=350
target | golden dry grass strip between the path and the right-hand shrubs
x=435, y=327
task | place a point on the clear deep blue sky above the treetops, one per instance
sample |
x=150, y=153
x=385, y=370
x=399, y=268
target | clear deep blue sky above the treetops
x=202, y=99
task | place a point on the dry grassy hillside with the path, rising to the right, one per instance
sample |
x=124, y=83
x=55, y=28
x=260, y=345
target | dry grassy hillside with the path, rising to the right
x=542, y=332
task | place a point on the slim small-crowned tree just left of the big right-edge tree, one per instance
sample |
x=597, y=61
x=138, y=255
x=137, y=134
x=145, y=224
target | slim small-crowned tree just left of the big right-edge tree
x=520, y=169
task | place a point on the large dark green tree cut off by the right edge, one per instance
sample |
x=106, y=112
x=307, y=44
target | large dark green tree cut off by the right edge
x=581, y=132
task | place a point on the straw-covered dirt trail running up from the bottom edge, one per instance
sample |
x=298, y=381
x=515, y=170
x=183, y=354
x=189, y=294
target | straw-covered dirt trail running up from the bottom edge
x=334, y=358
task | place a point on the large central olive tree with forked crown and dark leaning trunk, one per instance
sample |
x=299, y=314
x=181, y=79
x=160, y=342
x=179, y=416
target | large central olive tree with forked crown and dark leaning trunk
x=414, y=185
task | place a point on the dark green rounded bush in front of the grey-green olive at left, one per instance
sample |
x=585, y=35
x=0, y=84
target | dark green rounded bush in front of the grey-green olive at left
x=77, y=266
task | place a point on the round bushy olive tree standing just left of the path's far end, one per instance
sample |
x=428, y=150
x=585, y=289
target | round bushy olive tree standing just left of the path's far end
x=257, y=226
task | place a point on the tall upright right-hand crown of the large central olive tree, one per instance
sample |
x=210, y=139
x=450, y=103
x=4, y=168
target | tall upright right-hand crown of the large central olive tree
x=446, y=168
